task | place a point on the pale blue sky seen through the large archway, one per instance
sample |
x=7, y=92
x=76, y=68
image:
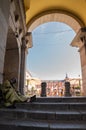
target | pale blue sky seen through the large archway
x=51, y=56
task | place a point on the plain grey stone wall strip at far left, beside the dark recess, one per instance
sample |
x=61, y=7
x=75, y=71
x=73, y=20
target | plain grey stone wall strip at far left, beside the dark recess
x=4, y=19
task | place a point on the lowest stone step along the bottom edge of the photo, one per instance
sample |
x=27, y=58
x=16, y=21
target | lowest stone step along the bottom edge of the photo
x=41, y=125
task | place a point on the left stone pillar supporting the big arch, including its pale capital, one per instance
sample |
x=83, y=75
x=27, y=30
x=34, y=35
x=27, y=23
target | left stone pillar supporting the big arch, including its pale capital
x=26, y=43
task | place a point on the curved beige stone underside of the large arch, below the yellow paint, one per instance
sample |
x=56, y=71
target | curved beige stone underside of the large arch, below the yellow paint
x=56, y=17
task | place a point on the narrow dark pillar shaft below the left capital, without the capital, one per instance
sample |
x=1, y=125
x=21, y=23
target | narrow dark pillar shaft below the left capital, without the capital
x=23, y=65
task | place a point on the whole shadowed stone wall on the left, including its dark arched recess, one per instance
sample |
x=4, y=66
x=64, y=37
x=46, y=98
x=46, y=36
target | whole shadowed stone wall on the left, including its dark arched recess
x=12, y=31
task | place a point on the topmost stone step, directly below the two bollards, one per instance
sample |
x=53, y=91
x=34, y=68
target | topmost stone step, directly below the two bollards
x=61, y=99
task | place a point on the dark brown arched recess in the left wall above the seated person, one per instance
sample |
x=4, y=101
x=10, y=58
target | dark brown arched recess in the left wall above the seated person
x=11, y=61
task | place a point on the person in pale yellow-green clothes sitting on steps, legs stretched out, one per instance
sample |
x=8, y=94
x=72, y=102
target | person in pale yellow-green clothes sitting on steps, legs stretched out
x=9, y=95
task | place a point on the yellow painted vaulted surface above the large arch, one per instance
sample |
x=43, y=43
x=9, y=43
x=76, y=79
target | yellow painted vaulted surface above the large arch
x=35, y=7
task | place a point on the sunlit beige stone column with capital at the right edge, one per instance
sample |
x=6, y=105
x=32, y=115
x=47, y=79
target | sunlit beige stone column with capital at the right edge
x=80, y=42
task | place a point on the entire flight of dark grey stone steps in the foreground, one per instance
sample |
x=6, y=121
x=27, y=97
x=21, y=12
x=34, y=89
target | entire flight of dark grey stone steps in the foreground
x=51, y=113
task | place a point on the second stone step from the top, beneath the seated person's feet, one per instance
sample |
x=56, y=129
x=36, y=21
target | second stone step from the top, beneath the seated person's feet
x=52, y=106
